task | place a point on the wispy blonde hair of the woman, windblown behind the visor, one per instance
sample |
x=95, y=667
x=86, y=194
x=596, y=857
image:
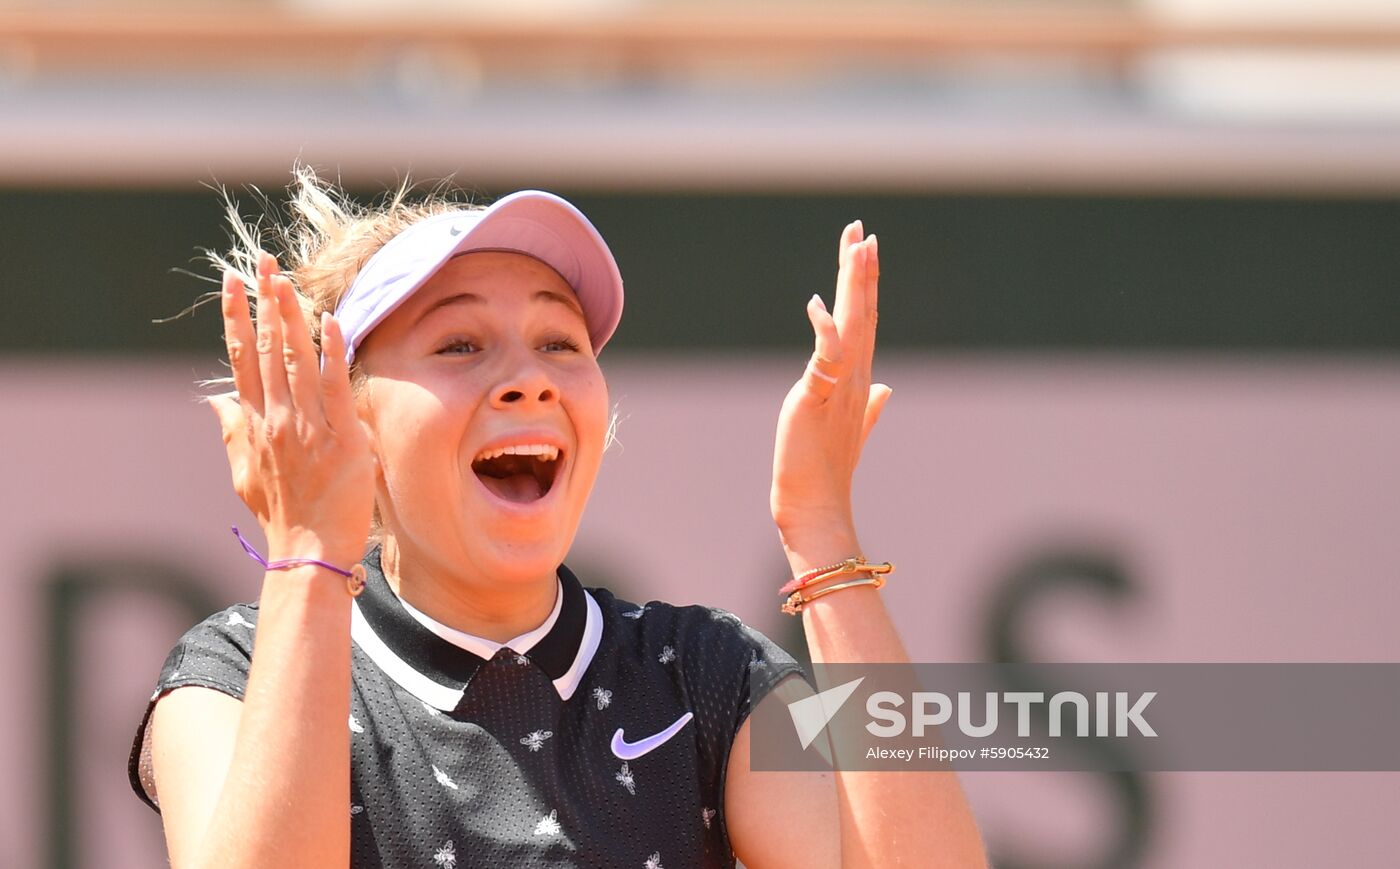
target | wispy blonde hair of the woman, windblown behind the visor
x=323, y=243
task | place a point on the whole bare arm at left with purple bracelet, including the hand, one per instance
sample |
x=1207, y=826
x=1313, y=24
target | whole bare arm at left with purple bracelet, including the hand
x=267, y=782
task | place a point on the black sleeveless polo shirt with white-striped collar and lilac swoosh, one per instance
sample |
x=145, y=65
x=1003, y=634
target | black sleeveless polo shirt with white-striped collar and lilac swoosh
x=598, y=740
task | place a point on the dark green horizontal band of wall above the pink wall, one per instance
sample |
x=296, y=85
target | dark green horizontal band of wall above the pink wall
x=87, y=271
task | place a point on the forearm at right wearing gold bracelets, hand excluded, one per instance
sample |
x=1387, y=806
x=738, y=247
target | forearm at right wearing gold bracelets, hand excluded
x=912, y=819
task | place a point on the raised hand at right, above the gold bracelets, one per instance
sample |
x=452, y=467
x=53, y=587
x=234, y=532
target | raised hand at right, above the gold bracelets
x=829, y=414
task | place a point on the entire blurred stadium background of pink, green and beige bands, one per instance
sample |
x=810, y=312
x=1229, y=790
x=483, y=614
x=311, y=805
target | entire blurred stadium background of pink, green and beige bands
x=1140, y=313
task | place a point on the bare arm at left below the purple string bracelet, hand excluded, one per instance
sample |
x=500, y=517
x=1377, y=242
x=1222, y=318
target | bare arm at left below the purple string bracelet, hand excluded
x=265, y=782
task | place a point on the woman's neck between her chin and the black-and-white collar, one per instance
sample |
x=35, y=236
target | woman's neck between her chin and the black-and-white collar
x=496, y=612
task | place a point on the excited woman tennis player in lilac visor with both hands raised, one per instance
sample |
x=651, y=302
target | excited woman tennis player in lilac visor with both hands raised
x=418, y=425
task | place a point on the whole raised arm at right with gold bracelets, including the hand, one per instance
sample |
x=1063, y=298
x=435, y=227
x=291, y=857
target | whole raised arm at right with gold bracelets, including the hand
x=884, y=819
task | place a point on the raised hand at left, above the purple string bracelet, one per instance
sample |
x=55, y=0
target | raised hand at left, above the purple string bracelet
x=299, y=454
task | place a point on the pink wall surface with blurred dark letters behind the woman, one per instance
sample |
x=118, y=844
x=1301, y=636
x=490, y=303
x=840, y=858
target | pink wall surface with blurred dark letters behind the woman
x=1249, y=506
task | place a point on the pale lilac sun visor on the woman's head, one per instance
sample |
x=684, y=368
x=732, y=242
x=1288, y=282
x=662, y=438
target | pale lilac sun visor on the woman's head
x=531, y=222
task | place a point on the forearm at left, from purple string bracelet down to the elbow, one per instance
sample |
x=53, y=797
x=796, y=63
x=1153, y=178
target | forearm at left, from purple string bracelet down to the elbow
x=286, y=800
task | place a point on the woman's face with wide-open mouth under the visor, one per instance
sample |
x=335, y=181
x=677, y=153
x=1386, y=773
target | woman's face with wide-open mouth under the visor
x=491, y=355
